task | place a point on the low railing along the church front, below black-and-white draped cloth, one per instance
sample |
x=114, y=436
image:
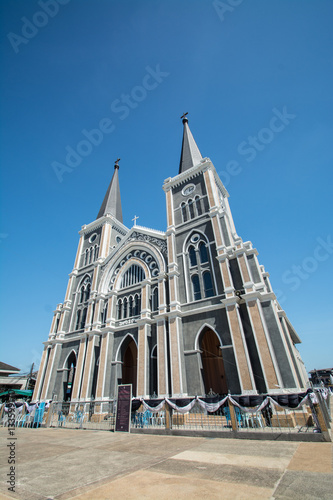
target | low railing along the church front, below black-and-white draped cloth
x=101, y=415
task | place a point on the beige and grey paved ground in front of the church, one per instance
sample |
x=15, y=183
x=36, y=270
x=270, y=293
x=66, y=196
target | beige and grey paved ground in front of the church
x=65, y=464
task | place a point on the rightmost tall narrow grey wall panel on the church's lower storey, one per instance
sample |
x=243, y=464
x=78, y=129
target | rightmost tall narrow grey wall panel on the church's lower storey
x=280, y=353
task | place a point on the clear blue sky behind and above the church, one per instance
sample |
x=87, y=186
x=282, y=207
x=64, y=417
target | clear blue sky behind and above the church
x=233, y=69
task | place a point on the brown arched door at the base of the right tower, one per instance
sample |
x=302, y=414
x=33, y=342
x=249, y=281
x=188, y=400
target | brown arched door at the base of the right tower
x=213, y=372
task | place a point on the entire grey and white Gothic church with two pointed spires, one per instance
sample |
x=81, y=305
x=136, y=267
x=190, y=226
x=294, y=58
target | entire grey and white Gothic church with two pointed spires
x=184, y=312
